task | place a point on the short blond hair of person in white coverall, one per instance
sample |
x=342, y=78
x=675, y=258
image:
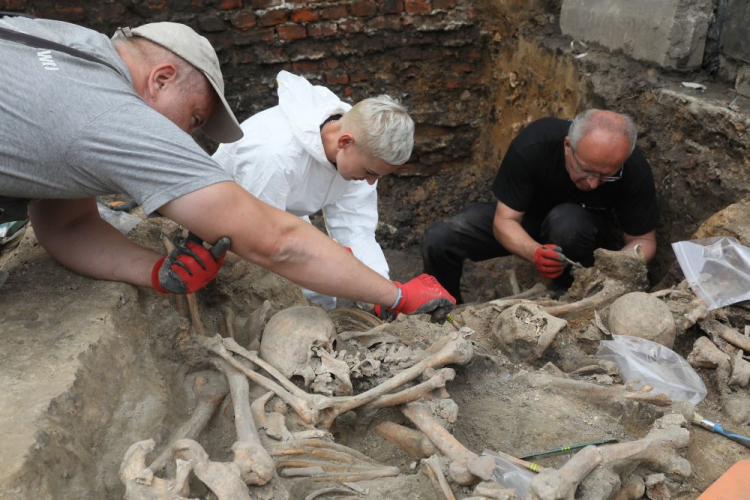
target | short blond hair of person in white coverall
x=382, y=127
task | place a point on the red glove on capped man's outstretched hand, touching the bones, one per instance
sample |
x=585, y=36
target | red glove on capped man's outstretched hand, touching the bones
x=421, y=295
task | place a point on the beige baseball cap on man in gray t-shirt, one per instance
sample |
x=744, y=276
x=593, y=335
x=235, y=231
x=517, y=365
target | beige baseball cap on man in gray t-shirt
x=180, y=39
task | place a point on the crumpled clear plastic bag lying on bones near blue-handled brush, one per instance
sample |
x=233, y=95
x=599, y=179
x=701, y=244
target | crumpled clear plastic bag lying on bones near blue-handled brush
x=653, y=364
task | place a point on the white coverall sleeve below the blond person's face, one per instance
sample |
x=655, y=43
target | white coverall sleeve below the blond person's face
x=352, y=220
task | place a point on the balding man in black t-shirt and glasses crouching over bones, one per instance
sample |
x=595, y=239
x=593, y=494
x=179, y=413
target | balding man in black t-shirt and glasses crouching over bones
x=576, y=186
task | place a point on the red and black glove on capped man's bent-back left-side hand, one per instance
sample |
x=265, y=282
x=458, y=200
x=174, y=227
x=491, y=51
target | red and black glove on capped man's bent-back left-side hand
x=190, y=266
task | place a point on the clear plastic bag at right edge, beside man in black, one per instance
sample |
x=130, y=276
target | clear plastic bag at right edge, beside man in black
x=717, y=269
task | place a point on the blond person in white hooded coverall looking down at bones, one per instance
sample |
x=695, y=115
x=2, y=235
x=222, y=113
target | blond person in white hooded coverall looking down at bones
x=314, y=151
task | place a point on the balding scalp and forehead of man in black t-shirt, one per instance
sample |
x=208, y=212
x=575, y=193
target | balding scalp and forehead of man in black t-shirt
x=605, y=126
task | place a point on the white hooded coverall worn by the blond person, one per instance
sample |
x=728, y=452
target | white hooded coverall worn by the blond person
x=281, y=161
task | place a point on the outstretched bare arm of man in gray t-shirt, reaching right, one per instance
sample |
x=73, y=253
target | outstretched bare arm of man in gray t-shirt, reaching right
x=278, y=241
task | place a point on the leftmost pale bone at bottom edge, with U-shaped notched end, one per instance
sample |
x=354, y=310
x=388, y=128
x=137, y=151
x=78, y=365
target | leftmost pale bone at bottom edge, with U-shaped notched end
x=141, y=483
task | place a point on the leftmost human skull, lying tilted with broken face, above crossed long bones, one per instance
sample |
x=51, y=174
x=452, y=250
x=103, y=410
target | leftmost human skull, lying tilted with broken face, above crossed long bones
x=299, y=341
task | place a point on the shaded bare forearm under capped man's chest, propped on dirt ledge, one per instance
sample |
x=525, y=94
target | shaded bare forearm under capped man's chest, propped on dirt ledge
x=76, y=236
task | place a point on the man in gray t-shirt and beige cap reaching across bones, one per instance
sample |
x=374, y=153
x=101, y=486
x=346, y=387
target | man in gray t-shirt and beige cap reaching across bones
x=82, y=115
